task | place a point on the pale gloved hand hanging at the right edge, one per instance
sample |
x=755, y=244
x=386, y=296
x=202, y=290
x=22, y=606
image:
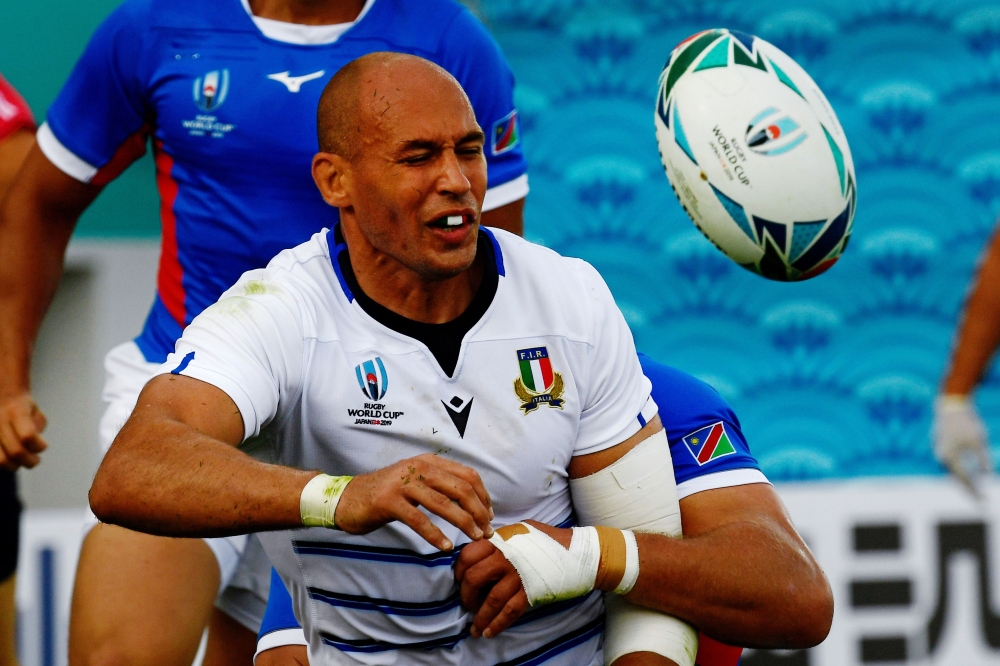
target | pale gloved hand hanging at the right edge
x=960, y=439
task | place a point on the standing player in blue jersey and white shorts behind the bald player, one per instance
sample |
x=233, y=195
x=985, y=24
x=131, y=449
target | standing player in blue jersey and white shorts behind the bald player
x=227, y=93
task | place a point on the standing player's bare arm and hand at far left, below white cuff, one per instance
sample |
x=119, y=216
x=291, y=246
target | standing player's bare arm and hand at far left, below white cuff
x=36, y=221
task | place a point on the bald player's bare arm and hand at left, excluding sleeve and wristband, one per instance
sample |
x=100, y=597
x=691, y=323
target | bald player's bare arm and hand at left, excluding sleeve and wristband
x=174, y=470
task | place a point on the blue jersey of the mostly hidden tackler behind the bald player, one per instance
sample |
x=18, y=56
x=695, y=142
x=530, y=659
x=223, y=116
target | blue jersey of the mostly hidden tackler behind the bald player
x=687, y=406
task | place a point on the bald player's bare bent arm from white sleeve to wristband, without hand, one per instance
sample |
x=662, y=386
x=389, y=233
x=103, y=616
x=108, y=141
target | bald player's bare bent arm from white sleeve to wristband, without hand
x=175, y=470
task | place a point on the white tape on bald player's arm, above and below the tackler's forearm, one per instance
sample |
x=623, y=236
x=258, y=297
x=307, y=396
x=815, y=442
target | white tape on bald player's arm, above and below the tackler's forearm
x=637, y=492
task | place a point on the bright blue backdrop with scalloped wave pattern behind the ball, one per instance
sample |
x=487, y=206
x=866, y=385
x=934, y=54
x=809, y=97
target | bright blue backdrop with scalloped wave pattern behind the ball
x=831, y=378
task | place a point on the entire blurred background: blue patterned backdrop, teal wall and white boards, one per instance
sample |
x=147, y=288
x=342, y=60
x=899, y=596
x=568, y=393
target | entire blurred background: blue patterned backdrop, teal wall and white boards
x=833, y=379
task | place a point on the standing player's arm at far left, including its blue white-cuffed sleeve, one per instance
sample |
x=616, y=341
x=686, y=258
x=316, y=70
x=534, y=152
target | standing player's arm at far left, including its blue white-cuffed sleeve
x=94, y=130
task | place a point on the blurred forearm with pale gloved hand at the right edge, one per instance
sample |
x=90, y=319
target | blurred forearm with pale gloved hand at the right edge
x=960, y=440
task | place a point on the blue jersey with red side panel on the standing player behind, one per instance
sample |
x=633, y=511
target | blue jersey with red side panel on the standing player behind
x=231, y=113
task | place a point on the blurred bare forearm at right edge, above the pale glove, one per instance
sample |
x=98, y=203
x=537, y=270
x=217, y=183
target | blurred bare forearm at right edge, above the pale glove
x=979, y=332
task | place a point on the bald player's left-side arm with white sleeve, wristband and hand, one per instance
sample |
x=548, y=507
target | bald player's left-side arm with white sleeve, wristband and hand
x=175, y=469
